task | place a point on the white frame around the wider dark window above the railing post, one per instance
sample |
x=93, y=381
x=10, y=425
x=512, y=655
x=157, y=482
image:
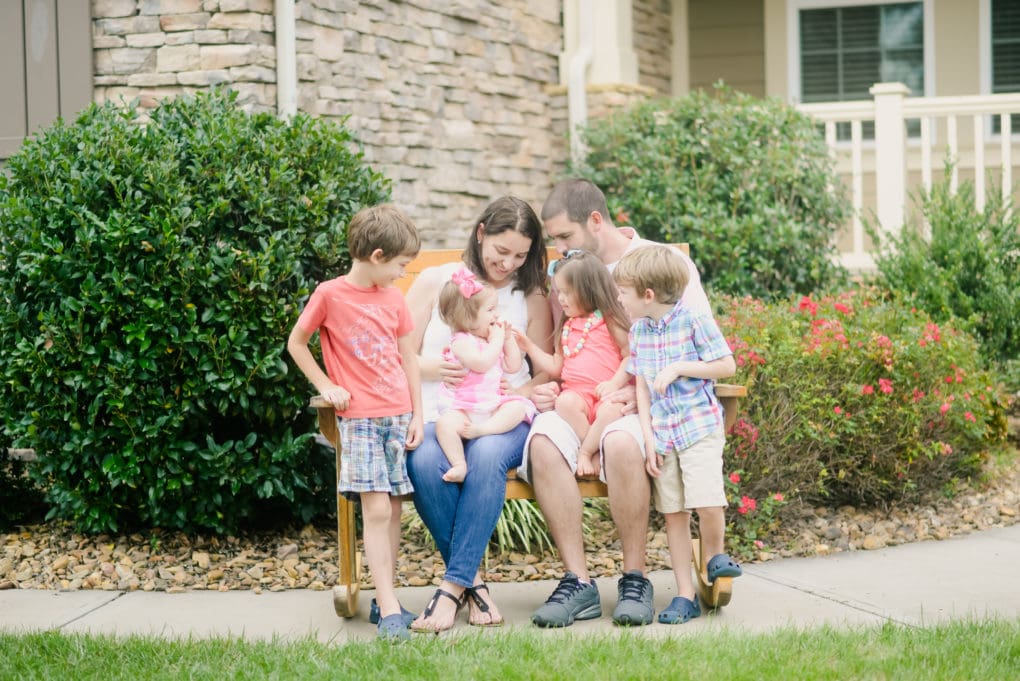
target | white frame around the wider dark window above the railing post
x=794, y=9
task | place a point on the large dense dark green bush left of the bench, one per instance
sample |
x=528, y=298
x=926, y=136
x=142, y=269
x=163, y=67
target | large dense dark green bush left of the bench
x=151, y=272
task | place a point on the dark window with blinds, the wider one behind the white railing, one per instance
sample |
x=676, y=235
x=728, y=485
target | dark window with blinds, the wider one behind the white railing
x=846, y=50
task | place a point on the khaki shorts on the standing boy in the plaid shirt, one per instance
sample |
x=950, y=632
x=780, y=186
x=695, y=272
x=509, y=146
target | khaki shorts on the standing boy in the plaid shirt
x=692, y=479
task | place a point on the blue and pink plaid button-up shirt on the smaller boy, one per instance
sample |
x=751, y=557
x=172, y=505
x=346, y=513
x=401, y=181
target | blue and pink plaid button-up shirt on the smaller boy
x=690, y=409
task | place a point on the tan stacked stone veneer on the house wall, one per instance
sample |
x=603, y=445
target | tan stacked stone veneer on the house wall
x=456, y=101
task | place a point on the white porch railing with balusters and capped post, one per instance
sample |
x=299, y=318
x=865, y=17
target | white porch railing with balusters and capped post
x=902, y=165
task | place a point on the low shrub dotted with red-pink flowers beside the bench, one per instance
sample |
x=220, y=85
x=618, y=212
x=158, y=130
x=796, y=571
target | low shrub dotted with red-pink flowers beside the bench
x=856, y=399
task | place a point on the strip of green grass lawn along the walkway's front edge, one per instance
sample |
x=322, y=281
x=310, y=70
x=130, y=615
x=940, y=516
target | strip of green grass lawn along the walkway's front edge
x=977, y=650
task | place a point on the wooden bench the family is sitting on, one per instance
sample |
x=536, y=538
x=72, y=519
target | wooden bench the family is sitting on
x=345, y=594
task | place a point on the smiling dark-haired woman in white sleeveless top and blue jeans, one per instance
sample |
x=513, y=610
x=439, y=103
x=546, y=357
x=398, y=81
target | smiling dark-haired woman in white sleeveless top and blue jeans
x=504, y=249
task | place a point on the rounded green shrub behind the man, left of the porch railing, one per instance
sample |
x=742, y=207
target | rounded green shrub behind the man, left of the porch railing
x=749, y=183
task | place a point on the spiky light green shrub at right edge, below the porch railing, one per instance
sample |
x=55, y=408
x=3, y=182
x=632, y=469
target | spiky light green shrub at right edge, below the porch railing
x=967, y=270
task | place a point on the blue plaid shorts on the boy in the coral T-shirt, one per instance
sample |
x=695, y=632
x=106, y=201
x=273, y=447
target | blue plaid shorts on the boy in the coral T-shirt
x=373, y=458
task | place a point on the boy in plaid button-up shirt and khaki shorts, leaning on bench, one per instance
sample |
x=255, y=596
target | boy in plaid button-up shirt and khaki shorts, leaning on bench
x=676, y=356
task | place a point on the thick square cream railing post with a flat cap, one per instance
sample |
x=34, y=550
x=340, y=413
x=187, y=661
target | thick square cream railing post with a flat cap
x=891, y=160
